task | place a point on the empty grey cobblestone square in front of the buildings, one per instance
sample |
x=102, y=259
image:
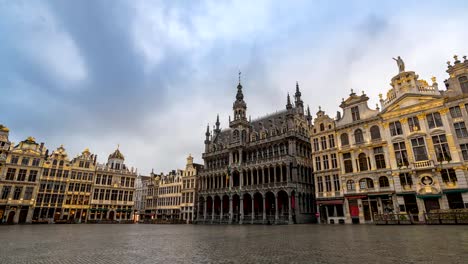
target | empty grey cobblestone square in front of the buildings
x=232, y=244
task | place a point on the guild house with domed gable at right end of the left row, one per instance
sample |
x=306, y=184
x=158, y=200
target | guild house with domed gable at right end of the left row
x=114, y=187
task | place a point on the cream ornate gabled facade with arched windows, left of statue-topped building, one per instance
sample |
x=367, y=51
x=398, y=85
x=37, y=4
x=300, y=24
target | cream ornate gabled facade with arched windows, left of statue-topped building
x=363, y=158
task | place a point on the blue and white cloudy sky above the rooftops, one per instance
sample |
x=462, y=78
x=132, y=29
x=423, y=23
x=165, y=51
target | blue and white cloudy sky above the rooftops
x=150, y=75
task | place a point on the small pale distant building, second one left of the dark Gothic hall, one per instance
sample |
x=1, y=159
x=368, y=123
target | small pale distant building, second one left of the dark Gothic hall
x=169, y=195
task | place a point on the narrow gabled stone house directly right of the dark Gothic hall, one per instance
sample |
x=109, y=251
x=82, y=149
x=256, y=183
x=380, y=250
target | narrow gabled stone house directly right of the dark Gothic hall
x=329, y=193
